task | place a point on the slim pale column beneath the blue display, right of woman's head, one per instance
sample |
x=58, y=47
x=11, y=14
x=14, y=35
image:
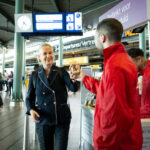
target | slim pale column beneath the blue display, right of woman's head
x=60, y=54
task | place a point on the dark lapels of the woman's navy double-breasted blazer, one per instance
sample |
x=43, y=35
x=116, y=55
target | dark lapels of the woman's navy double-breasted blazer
x=42, y=74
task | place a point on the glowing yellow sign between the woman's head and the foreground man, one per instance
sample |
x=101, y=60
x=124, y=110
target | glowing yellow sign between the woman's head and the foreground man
x=76, y=60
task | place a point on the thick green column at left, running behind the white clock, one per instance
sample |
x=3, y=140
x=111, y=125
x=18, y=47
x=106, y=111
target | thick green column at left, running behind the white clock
x=18, y=59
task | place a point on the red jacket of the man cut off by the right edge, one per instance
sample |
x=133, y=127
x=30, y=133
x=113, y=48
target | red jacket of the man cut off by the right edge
x=145, y=98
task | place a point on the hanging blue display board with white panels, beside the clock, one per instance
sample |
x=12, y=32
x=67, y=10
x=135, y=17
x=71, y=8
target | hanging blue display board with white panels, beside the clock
x=58, y=22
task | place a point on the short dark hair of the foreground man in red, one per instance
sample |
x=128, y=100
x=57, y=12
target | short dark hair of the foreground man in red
x=112, y=28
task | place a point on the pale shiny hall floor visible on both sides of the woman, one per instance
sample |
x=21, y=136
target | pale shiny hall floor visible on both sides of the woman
x=12, y=125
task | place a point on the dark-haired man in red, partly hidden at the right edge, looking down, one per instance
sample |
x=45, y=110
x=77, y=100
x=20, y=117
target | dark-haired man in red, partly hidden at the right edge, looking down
x=143, y=66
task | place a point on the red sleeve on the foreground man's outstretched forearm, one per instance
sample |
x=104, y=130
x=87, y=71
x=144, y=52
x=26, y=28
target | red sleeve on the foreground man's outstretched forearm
x=90, y=84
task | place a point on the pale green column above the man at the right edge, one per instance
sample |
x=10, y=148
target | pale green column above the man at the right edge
x=142, y=42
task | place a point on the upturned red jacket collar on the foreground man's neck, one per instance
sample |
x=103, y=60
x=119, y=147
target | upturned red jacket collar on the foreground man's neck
x=108, y=52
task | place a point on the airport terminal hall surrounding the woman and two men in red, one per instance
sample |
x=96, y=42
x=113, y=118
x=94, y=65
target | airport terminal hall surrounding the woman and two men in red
x=69, y=26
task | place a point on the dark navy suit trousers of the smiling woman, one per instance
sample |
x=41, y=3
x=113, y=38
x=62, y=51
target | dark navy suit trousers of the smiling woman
x=47, y=134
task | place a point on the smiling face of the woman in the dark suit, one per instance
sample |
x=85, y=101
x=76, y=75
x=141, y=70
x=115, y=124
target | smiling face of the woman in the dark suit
x=46, y=56
